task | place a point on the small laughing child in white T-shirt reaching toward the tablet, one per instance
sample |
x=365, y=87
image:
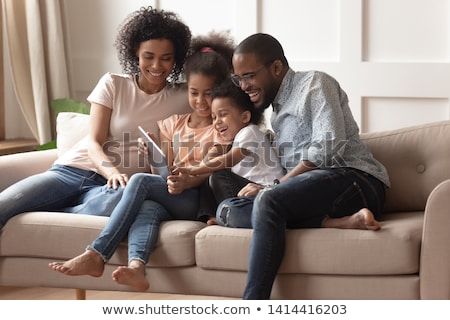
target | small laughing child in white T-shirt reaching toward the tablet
x=251, y=158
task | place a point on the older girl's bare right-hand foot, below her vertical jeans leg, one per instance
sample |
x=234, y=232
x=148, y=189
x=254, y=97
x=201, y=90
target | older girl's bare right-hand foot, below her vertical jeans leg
x=133, y=275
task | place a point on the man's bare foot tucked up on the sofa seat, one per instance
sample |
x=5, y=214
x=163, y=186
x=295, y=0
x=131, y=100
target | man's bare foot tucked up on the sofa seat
x=363, y=219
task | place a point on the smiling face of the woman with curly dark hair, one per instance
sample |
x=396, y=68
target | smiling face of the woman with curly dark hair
x=156, y=61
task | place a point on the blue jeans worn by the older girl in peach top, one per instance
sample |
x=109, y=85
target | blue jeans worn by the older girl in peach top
x=144, y=205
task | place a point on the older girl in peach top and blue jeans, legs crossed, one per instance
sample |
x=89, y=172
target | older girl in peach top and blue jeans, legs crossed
x=186, y=139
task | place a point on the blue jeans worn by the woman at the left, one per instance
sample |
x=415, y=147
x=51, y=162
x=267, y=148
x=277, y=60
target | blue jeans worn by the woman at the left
x=55, y=190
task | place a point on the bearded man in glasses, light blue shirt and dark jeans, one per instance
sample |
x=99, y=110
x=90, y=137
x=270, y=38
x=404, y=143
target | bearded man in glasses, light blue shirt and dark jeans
x=332, y=179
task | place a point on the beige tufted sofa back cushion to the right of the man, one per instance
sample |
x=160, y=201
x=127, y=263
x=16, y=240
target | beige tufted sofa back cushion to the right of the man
x=417, y=159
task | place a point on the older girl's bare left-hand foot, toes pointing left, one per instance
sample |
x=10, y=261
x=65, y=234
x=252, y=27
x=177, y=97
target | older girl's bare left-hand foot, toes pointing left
x=88, y=263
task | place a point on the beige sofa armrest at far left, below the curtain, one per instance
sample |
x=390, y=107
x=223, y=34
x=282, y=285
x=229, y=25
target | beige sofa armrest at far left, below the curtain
x=15, y=167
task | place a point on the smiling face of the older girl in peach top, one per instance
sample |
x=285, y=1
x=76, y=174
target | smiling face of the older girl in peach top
x=199, y=90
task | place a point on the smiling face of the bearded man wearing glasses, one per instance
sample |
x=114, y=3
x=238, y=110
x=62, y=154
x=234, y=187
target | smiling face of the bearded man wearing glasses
x=258, y=80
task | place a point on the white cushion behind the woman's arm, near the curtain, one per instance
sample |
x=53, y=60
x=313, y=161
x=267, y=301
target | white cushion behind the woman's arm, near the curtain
x=71, y=127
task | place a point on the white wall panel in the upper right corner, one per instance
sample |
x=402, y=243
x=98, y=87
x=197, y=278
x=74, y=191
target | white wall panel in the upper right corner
x=407, y=30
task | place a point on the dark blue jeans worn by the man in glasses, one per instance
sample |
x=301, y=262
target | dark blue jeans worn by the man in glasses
x=301, y=202
